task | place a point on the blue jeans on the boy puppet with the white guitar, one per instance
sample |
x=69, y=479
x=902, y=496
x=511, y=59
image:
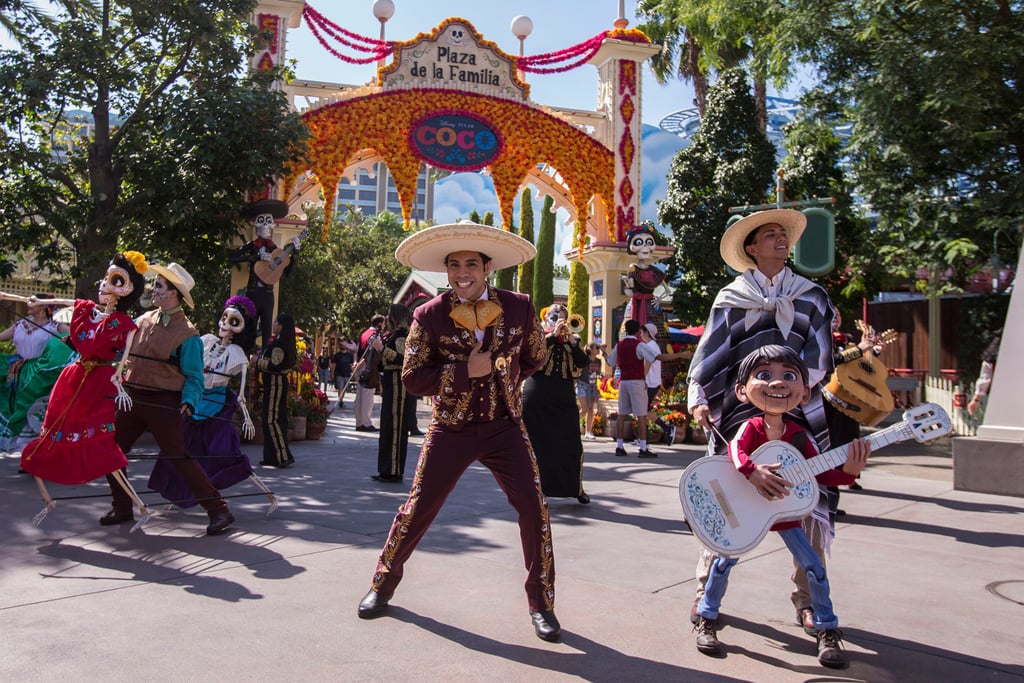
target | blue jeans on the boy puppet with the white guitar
x=796, y=540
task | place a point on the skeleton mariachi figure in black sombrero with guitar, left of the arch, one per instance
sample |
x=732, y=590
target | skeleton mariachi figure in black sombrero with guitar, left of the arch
x=264, y=214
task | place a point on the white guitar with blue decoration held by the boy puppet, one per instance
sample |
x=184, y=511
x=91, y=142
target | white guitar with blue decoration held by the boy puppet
x=731, y=518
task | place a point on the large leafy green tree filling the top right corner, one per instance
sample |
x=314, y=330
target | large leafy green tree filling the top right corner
x=937, y=150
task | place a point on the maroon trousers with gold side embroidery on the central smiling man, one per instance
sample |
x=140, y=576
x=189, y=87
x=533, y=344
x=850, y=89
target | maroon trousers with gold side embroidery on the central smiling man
x=504, y=449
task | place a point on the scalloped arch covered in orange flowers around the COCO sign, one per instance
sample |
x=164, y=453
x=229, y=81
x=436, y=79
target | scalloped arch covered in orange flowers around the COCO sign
x=381, y=122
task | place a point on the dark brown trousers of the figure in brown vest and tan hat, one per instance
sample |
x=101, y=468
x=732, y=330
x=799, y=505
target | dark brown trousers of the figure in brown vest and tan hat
x=158, y=412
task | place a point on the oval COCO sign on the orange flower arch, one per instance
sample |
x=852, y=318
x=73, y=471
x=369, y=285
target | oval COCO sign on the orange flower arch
x=455, y=142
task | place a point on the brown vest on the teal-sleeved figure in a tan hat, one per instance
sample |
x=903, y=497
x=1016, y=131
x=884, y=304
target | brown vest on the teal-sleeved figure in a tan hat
x=148, y=367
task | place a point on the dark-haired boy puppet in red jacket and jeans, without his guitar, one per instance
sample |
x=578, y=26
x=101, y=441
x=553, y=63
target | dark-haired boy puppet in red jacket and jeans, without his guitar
x=775, y=380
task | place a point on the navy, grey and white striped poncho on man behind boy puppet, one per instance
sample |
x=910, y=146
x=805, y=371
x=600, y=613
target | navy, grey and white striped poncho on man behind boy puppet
x=743, y=320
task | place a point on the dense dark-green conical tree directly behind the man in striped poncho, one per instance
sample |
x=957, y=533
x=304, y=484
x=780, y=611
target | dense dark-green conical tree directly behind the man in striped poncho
x=731, y=163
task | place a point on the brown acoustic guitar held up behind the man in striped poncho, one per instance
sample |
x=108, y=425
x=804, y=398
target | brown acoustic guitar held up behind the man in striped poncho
x=859, y=389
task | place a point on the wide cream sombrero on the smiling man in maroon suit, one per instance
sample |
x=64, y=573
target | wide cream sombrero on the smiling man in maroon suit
x=426, y=249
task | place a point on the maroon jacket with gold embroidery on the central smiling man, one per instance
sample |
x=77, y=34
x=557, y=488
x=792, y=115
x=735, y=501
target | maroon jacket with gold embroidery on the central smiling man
x=438, y=353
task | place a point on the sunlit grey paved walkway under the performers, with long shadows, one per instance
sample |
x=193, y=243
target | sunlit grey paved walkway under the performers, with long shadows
x=928, y=582
